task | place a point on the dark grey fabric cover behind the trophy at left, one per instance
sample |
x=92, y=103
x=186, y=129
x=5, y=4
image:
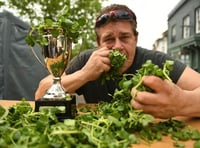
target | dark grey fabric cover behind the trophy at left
x=20, y=71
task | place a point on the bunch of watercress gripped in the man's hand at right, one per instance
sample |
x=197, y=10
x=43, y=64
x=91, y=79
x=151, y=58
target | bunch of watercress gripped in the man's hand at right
x=129, y=81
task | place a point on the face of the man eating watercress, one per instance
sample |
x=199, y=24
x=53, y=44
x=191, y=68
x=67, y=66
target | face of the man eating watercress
x=119, y=35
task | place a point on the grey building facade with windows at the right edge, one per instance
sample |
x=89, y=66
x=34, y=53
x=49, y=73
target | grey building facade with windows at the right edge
x=184, y=33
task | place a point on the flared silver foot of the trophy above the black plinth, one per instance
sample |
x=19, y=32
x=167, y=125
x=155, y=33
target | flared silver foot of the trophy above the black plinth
x=56, y=91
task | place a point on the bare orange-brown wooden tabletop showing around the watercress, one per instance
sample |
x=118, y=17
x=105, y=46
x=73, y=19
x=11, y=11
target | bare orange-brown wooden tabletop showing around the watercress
x=166, y=141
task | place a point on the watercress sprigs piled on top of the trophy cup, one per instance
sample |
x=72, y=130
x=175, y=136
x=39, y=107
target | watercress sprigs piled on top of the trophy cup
x=68, y=28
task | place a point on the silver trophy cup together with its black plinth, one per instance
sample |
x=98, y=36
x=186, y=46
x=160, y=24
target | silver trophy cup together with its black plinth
x=56, y=54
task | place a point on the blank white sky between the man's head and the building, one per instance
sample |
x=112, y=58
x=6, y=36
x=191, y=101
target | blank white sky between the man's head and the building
x=152, y=18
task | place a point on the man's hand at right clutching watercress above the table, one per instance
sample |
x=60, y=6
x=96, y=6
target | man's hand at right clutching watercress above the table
x=164, y=102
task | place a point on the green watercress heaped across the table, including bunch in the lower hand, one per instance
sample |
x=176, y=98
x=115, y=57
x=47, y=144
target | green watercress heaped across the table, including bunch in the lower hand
x=107, y=125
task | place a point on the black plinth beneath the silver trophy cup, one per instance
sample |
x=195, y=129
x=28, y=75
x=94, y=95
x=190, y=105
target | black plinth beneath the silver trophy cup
x=70, y=107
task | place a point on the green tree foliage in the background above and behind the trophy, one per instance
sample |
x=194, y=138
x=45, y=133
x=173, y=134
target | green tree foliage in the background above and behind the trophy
x=39, y=10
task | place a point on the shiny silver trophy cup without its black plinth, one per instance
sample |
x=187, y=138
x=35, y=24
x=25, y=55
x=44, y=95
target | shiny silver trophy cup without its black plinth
x=56, y=56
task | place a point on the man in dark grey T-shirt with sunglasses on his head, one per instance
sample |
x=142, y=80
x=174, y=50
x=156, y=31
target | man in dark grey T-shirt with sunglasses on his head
x=116, y=29
